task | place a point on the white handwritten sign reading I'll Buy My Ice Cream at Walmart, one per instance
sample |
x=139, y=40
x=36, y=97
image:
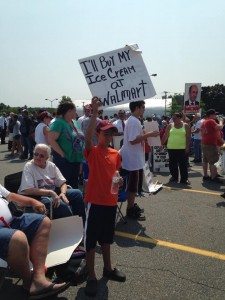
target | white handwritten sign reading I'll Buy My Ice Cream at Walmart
x=118, y=76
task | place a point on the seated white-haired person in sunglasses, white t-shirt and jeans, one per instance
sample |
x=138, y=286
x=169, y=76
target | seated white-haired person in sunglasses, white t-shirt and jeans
x=41, y=178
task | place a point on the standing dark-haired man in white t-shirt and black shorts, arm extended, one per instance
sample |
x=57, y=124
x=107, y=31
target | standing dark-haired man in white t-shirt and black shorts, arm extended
x=132, y=152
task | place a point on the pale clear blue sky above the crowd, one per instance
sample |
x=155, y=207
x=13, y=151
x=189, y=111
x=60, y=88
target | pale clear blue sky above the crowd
x=42, y=40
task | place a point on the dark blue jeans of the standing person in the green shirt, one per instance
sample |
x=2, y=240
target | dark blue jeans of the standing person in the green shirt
x=70, y=170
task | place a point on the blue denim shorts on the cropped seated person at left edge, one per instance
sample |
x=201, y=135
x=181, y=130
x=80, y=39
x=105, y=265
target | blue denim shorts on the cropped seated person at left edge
x=28, y=223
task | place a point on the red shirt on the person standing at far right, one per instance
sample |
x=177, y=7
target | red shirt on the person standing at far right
x=209, y=132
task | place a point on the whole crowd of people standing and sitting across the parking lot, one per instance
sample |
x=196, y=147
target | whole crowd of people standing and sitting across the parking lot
x=56, y=148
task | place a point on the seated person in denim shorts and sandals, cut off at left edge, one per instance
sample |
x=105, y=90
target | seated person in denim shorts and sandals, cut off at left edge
x=25, y=239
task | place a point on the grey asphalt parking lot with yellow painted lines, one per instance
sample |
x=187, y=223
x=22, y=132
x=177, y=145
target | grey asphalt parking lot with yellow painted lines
x=177, y=253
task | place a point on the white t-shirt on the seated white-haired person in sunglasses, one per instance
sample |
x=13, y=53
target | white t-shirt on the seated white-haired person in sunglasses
x=35, y=177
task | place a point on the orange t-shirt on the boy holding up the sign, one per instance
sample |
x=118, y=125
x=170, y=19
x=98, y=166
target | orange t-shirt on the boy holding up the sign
x=102, y=163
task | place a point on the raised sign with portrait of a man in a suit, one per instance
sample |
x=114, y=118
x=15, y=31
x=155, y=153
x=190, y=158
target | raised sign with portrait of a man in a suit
x=192, y=97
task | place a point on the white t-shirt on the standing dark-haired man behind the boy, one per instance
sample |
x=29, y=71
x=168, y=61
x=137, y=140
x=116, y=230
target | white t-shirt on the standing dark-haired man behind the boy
x=132, y=155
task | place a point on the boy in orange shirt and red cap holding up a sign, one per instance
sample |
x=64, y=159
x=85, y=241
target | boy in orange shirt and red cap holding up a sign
x=103, y=162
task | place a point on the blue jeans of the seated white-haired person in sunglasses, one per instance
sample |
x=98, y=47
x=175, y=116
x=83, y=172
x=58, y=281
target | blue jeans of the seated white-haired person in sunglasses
x=75, y=207
